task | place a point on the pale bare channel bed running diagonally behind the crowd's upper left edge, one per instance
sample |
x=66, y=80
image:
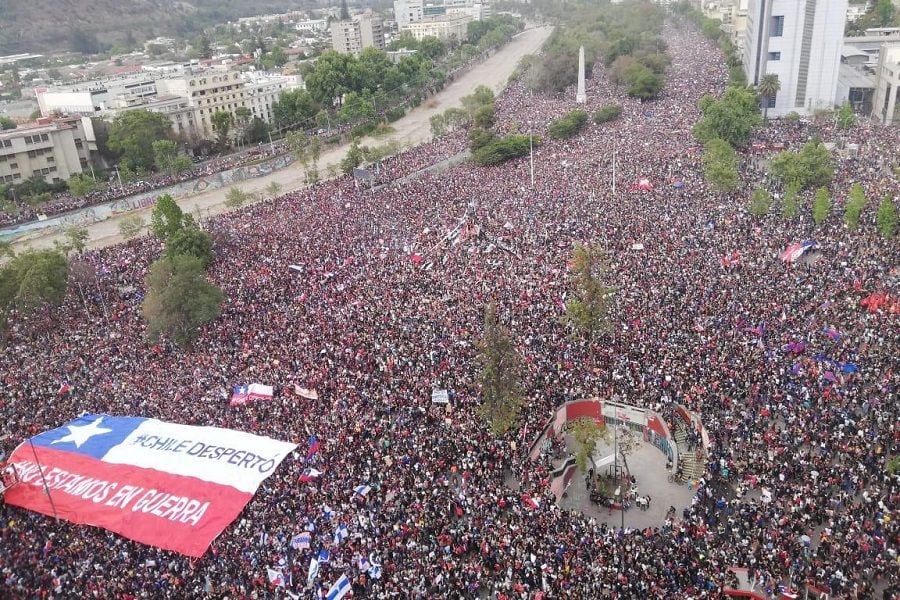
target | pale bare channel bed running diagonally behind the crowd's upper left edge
x=412, y=129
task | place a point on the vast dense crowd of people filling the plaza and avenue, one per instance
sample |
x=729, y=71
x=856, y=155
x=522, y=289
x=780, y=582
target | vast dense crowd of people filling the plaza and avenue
x=387, y=306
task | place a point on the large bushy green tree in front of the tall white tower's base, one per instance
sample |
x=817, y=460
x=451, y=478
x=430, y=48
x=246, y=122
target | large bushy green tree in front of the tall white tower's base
x=731, y=118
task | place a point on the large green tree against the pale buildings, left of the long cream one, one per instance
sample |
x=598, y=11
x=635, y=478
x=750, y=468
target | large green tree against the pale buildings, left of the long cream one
x=132, y=134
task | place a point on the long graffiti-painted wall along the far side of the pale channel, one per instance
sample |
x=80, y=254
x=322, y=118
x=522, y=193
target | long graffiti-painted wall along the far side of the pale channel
x=101, y=212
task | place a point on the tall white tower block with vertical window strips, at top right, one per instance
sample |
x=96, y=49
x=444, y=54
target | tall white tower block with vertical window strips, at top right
x=800, y=42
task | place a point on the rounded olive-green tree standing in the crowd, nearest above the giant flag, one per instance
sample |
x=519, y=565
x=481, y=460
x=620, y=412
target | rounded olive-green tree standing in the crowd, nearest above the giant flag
x=179, y=299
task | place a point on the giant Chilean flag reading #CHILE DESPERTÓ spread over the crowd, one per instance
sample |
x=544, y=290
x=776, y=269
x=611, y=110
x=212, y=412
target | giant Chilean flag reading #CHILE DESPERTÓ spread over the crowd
x=163, y=484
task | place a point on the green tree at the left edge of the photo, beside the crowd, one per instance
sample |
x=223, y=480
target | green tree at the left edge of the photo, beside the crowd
x=31, y=280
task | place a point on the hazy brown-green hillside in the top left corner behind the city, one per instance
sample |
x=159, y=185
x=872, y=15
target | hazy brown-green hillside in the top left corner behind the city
x=54, y=25
